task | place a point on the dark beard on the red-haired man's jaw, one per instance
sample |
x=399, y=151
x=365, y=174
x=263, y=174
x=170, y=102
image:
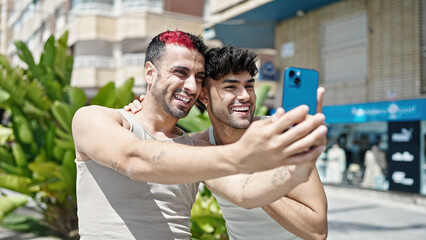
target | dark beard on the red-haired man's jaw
x=160, y=95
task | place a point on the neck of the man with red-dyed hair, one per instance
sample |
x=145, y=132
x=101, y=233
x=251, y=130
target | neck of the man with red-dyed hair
x=156, y=121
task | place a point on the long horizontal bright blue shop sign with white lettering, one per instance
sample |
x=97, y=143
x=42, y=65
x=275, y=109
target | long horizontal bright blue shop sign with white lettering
x=403, y=110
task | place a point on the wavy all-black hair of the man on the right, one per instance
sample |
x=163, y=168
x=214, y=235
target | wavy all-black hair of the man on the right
x=225, y=60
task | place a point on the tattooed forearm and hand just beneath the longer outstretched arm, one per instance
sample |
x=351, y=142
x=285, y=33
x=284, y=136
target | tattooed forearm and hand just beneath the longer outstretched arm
x=261, y=188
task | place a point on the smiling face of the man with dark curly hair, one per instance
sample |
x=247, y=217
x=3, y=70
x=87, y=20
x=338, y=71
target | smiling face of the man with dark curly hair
x=230, y=100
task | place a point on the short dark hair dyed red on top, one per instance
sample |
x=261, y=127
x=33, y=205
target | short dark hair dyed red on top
x=156, y=47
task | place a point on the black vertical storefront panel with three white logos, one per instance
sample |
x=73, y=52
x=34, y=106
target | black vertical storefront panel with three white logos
x=404, y=156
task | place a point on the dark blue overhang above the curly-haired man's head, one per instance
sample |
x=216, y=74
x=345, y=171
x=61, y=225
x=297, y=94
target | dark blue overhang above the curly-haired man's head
x=256, y=28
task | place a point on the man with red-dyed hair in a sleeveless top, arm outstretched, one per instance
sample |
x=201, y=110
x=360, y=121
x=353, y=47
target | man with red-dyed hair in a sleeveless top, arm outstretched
x=134, y=181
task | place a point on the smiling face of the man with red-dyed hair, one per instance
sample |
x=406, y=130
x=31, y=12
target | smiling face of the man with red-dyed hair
x=176, y=83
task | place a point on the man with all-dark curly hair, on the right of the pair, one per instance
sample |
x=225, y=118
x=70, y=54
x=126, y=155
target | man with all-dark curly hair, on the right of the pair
x=228, y=96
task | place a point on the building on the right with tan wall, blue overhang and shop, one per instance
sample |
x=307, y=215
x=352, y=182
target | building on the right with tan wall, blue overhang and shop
x=370, y=58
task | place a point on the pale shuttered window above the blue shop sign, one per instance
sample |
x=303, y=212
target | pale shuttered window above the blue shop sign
x=344, y=49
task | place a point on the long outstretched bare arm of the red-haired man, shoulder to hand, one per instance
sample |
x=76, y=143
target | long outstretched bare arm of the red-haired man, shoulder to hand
x=100, y=134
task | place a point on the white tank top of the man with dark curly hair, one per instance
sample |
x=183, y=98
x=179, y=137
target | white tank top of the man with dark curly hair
x=249, y=224
